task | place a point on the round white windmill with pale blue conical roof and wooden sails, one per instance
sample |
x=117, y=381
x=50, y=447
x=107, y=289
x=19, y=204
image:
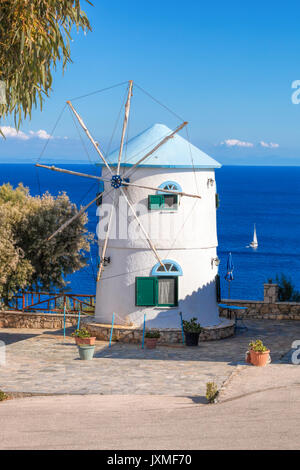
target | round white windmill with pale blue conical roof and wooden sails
x=157, y=229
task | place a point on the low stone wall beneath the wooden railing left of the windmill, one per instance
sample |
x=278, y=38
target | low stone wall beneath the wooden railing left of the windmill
x=9, y=319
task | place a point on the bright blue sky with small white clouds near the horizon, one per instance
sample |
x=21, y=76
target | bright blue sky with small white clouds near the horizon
x=226, y=67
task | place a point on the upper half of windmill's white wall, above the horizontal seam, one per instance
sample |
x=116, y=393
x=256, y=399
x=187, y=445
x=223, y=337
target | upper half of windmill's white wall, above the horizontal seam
x=194, y=224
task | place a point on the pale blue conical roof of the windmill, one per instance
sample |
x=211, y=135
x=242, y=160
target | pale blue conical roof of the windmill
x=175, y=153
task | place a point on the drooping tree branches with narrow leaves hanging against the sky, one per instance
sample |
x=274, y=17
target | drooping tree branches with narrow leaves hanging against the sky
x=35, y=36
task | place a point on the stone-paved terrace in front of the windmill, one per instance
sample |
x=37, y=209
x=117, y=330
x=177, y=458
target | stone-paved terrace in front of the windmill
x=41, y=362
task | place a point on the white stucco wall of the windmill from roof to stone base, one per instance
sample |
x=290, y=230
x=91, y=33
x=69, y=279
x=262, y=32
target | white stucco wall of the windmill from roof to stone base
x=187, y=236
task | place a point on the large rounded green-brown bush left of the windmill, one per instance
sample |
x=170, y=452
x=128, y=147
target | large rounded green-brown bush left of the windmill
x=27, y=260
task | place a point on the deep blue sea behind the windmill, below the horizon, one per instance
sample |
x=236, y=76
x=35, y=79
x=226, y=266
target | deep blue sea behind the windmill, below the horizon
x=266, y=196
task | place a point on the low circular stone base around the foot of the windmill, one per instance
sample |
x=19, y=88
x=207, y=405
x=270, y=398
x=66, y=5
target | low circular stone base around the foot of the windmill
x=131, y=334
